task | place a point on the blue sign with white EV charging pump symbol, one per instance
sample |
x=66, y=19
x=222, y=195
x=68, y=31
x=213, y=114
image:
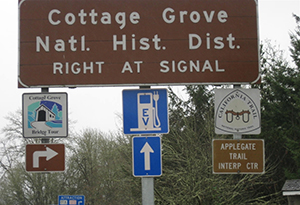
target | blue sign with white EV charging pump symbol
x=145, y=111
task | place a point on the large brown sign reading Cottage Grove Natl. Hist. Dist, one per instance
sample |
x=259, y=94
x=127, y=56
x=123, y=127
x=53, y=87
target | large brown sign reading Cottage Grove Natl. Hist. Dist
x=117, y=42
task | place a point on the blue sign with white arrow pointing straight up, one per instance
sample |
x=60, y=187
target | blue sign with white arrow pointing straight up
x=146, y=156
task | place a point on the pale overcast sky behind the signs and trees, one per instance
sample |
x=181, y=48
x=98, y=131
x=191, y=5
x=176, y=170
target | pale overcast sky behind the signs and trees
x=100, y=107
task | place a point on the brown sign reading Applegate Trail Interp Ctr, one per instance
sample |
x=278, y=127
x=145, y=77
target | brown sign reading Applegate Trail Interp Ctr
x=244, y=156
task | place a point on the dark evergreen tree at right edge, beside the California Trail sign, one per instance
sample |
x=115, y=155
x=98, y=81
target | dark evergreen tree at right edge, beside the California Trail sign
x=280, y=90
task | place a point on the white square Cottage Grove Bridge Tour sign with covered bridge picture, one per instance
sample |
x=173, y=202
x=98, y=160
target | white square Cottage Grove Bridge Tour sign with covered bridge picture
x=45, y=115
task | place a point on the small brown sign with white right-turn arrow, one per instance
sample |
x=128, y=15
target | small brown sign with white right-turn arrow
x=45, y=157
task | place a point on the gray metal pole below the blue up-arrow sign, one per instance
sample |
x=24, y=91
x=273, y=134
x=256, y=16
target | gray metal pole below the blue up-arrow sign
x=147, y=191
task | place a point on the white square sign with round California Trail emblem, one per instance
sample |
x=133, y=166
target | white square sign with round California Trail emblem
x=237, y=111
